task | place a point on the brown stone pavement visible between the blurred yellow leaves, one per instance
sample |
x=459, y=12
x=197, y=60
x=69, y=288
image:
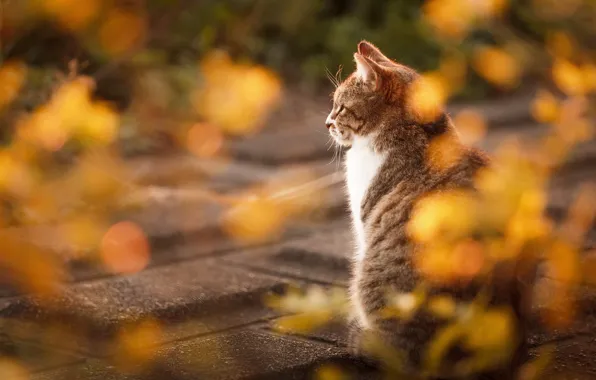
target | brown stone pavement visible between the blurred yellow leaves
x=204, y=291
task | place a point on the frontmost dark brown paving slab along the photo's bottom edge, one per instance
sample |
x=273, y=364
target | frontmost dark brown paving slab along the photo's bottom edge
x=240, y=354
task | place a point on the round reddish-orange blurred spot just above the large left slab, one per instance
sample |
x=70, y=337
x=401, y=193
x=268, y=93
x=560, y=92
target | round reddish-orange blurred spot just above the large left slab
x=124, y=248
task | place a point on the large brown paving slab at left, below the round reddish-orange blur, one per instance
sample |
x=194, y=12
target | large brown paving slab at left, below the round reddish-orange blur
x=213, y=296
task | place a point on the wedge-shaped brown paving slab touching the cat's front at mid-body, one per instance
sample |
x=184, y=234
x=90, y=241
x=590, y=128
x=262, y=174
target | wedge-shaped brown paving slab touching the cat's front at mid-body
x=321, y=257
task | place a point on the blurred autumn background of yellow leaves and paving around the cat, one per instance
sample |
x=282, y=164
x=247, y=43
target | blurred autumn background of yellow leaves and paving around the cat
x=164, y=165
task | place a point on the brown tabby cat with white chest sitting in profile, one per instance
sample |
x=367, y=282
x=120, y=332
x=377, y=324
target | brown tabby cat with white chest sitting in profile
x=387, y=170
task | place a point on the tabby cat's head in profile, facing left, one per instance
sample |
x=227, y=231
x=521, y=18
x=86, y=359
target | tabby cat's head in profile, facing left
x=376, y=91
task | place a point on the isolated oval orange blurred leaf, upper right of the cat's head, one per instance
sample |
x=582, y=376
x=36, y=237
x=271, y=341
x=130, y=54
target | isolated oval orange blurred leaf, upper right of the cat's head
x=497, y=66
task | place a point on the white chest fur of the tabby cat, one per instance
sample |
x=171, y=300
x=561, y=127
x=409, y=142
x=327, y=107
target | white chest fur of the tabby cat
x=362, y=165
